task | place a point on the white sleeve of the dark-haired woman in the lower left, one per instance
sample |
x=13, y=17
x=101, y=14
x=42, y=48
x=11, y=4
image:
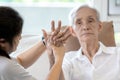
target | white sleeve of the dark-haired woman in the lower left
x=13, y=71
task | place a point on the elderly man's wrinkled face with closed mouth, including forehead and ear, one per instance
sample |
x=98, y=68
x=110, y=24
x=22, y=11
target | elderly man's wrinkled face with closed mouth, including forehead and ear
x=87, y=26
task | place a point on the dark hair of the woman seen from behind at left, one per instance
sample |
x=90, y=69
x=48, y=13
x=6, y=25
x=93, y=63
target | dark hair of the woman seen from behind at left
x=10, y=26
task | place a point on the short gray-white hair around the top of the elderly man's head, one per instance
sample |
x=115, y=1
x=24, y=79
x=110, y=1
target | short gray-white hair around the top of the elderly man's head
x=76, y=9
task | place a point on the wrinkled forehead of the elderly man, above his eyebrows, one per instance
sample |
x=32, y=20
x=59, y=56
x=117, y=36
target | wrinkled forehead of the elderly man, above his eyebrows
x=86, y=13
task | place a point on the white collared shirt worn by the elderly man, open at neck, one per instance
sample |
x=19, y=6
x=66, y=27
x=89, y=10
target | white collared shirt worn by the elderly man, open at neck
x=105, y=65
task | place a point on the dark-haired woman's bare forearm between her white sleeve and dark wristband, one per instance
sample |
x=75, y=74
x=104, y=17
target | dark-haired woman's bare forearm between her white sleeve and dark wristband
x=28, y=57
